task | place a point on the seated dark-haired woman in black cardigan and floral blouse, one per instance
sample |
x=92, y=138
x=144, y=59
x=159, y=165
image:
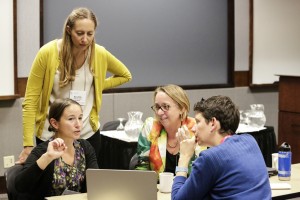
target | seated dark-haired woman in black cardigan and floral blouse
x=60, y=163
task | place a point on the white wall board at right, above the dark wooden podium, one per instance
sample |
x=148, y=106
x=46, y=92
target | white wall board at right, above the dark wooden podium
x=276, y=43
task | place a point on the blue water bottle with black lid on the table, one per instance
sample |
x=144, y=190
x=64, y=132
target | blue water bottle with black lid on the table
x=284, y=162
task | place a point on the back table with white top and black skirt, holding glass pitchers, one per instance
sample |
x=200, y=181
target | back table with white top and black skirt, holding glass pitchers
x=117, y=148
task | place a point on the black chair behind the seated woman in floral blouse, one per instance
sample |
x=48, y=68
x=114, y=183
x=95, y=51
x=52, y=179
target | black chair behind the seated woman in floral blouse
x=10, y=176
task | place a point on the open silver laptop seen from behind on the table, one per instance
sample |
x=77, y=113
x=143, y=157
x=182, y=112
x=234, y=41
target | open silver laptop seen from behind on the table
x=109, y=184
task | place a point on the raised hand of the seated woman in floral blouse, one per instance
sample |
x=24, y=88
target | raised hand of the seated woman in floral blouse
x=56, y=148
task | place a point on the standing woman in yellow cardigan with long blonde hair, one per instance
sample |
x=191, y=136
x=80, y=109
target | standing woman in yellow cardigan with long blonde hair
x=71, y=67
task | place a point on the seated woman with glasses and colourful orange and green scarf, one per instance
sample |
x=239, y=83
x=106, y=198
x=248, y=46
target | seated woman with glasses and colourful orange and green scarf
x=158, y=146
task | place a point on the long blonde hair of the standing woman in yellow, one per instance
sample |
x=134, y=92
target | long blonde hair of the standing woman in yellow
x=66, y=67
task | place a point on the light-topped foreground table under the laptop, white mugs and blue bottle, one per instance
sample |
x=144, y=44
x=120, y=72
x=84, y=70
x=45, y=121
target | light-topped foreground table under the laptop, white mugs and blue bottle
x=277, y=194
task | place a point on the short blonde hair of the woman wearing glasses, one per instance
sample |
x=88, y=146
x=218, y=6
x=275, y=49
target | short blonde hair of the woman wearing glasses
x=178, y=95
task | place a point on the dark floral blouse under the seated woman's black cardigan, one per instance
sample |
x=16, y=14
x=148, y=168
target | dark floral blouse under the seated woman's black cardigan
x=69, y=177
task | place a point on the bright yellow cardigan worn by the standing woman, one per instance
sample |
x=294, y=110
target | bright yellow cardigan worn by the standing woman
x=40, y=83
